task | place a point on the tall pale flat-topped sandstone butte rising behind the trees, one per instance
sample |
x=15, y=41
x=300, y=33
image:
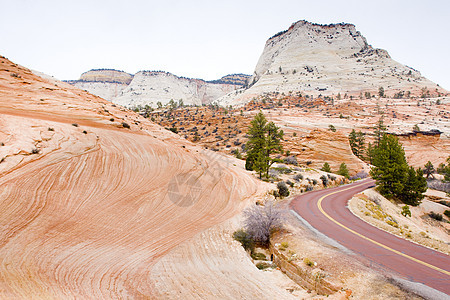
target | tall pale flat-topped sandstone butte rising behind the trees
x=327, y=59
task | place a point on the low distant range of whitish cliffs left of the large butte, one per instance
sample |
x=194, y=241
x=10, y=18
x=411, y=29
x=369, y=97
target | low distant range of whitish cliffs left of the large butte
x=151, y=87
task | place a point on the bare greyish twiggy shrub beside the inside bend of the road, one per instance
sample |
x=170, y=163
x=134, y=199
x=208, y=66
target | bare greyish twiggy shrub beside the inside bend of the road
x=261, y=221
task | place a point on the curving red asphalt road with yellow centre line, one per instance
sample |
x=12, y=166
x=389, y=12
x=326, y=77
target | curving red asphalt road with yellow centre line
x=335, y=206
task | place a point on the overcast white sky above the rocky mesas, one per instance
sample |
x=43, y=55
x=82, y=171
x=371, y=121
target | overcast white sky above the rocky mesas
x=208, y=39
